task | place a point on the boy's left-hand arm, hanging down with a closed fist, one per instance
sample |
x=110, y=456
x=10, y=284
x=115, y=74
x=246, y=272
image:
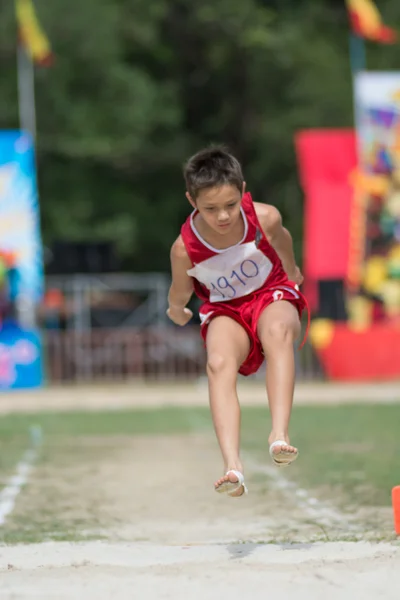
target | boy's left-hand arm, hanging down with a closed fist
x=181, y=289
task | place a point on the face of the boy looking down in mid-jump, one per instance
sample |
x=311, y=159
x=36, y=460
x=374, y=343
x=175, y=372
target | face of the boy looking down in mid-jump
x=219, y=207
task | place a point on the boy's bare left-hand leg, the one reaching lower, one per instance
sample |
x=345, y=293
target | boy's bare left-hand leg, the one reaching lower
x=227, y=346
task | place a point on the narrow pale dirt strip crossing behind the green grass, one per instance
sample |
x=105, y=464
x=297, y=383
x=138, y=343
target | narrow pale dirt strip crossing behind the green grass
x=137, y=393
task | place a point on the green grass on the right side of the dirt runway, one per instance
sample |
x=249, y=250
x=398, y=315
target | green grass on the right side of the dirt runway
x=350, y=451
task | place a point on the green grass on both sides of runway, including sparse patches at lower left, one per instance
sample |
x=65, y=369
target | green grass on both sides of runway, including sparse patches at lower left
x=349, y=454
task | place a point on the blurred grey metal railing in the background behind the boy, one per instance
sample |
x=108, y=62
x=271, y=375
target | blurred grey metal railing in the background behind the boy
x=143, y=344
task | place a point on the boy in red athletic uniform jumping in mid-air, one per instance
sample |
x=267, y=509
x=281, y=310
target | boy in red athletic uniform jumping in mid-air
x=238, y=259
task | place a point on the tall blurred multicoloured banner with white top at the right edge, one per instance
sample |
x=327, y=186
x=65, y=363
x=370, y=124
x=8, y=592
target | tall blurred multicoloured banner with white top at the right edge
x=377, y=185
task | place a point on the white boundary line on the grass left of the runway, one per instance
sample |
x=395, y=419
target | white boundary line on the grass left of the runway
x=13, y=487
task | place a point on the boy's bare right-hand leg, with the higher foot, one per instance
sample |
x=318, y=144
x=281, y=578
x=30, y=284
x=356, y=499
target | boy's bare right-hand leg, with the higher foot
x=278, y=328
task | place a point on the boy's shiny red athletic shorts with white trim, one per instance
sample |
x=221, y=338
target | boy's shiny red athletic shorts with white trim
x=246, y=311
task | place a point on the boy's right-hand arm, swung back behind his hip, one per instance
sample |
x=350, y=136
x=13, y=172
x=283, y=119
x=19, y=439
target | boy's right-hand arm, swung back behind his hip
x=279, y=238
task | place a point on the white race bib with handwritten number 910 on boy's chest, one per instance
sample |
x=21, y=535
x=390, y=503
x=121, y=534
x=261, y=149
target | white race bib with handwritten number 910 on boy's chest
x=234, y=273
